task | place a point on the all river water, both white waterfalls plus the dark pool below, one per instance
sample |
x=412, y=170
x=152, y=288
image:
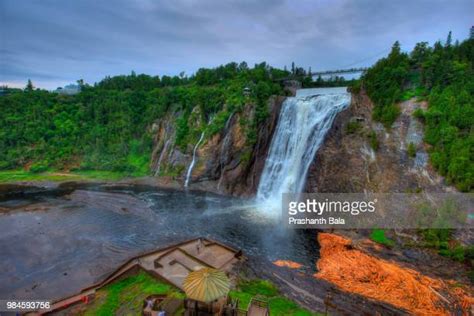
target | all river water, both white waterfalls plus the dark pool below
x=55, y=242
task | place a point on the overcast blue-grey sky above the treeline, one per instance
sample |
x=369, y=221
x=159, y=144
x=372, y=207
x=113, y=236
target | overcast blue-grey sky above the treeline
x=56, y=42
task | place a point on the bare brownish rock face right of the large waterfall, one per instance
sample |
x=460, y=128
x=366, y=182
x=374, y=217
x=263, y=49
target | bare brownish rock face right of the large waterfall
x=360, y=155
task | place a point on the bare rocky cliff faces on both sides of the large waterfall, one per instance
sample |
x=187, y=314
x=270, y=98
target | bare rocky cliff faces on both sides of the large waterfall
x=357, y=155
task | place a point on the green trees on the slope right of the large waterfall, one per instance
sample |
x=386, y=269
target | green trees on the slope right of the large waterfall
x=443, y=75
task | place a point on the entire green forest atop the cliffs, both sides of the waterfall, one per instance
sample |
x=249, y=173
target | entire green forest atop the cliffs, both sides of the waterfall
x=107, y=126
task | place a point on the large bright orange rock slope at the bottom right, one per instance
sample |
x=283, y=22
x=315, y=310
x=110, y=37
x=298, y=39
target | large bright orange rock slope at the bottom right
x=357, y=272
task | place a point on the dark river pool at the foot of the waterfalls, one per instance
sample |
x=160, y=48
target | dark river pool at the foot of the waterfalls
x=55, y=242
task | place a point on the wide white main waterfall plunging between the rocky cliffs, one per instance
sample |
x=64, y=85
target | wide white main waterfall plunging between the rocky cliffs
x=303, y=123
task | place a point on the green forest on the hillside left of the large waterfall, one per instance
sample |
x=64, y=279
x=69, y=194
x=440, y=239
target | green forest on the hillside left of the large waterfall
x=107, y=126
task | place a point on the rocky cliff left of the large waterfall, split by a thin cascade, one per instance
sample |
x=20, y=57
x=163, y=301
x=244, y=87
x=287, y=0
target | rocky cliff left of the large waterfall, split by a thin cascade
x=225, y=162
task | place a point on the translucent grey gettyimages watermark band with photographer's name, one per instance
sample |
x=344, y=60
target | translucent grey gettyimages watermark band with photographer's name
x=367, y=211
